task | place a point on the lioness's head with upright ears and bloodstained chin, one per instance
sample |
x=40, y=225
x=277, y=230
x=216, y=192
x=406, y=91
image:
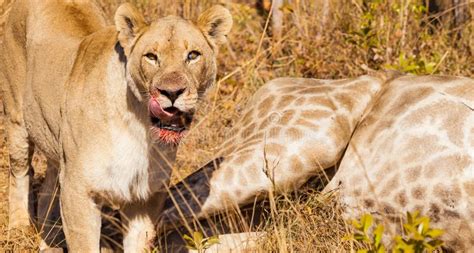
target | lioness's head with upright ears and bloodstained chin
x=170, y=63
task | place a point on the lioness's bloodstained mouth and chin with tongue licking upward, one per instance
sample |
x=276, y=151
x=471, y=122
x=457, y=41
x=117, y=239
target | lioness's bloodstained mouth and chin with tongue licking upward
x=168, y=125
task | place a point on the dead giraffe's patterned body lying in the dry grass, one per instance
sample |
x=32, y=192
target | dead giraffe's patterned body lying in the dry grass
x=402, y=145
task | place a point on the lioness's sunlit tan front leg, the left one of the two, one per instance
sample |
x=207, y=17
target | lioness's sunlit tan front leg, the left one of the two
x=81, y=217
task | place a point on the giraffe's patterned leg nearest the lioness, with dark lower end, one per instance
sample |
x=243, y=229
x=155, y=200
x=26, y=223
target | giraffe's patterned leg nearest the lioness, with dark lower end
x=279, y=143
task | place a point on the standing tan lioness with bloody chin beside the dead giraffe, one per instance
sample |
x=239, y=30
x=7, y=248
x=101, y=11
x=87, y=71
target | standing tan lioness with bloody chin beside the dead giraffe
x=105, y=104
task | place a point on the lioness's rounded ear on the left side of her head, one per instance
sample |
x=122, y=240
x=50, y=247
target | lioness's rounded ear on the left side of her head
x=128, y=22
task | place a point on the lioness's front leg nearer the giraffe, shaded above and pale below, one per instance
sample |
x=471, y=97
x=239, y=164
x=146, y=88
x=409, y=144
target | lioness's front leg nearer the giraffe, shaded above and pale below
x=139, y=220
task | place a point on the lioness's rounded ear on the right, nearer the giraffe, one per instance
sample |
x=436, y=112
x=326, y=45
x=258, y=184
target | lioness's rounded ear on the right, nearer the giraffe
x=215, y=23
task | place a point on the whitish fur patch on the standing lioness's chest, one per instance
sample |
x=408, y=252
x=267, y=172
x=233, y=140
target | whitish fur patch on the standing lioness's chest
x=122, y=174
